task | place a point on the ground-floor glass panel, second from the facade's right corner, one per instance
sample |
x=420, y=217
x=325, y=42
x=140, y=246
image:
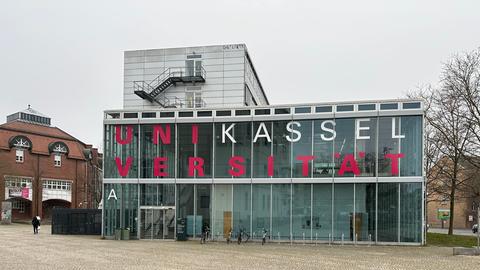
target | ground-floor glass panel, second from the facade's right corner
x=387, y=212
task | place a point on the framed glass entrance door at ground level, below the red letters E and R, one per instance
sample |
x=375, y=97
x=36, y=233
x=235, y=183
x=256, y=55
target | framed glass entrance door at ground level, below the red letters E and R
x=157, y=222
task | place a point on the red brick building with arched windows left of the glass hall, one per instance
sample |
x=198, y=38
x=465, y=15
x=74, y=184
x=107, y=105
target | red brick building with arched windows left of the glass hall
x=42, y=167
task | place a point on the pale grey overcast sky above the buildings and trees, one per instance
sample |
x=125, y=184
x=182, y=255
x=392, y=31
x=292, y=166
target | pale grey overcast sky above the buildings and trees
x=66, y=58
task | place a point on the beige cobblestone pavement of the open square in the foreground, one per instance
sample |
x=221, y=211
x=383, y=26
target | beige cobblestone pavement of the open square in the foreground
x=21, y=249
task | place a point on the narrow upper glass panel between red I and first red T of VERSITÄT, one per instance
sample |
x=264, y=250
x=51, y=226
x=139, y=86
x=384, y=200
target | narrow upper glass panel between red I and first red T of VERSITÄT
x=281, y=150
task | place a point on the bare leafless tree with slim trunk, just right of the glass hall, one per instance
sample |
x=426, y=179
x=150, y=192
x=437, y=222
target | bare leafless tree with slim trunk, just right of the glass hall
x=452, y=134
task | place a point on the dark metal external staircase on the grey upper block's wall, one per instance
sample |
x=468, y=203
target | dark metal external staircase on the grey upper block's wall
x=171, y=76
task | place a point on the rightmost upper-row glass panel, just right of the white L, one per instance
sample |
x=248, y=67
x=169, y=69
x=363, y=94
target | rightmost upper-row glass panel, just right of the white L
x=411, y=146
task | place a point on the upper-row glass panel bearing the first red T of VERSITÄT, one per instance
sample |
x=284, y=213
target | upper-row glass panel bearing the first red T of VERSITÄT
x=303, y=147
